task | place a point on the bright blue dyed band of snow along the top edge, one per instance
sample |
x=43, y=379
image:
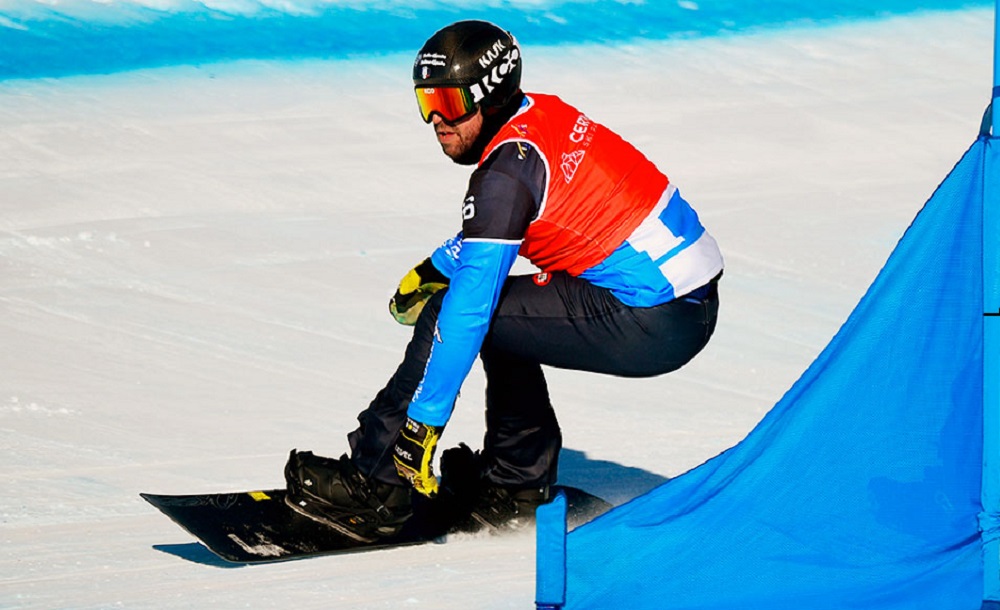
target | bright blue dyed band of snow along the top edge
x=84, y=36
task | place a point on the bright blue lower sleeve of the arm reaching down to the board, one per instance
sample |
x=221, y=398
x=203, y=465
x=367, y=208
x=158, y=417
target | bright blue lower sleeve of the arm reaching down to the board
x=461, y=326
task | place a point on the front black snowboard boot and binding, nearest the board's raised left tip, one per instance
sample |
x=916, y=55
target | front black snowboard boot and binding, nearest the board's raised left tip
x=335, y=493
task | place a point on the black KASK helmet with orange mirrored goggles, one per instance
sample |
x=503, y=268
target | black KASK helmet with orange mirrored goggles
x=479, y=59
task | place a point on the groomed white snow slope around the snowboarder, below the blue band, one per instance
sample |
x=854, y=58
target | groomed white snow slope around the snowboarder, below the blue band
x=195, y=264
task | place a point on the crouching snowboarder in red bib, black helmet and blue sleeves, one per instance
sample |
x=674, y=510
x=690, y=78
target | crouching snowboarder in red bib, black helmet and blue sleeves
x=628, y=287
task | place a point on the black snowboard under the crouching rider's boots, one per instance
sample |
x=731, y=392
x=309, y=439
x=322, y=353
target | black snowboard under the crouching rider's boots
x=250, y=527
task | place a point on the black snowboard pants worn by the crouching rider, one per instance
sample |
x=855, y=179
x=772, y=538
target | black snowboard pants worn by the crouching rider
x=566, y=322
